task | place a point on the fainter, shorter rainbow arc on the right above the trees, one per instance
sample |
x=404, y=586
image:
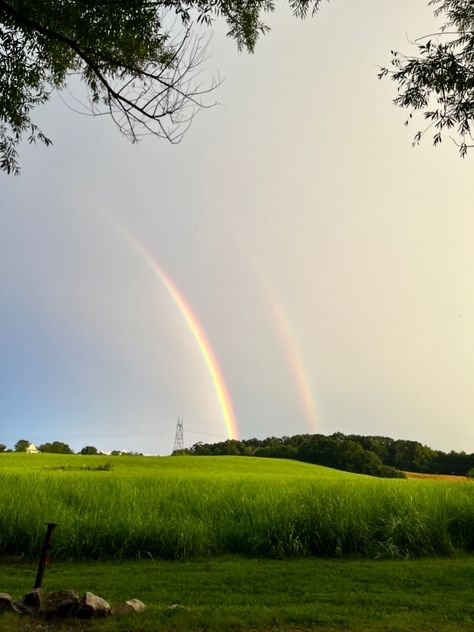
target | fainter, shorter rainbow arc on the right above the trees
x=294, y=359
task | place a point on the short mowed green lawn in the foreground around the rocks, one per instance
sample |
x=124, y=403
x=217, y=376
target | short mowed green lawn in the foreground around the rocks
x=235, y=593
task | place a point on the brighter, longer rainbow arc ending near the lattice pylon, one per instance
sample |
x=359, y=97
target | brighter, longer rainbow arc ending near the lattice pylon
x=210, y=360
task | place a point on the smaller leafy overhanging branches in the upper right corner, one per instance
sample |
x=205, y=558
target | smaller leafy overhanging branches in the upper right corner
x=439, y=81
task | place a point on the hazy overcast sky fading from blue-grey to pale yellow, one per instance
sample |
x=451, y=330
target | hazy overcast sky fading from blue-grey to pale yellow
x=329, y=264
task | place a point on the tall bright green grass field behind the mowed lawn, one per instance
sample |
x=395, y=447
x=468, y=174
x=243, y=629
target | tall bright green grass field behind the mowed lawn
x=198, y=506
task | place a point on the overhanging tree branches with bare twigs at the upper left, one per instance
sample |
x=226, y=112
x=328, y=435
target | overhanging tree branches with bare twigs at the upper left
x=138, y=59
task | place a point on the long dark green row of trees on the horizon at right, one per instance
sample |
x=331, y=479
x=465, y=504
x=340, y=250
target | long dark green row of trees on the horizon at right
x=374, y=455
